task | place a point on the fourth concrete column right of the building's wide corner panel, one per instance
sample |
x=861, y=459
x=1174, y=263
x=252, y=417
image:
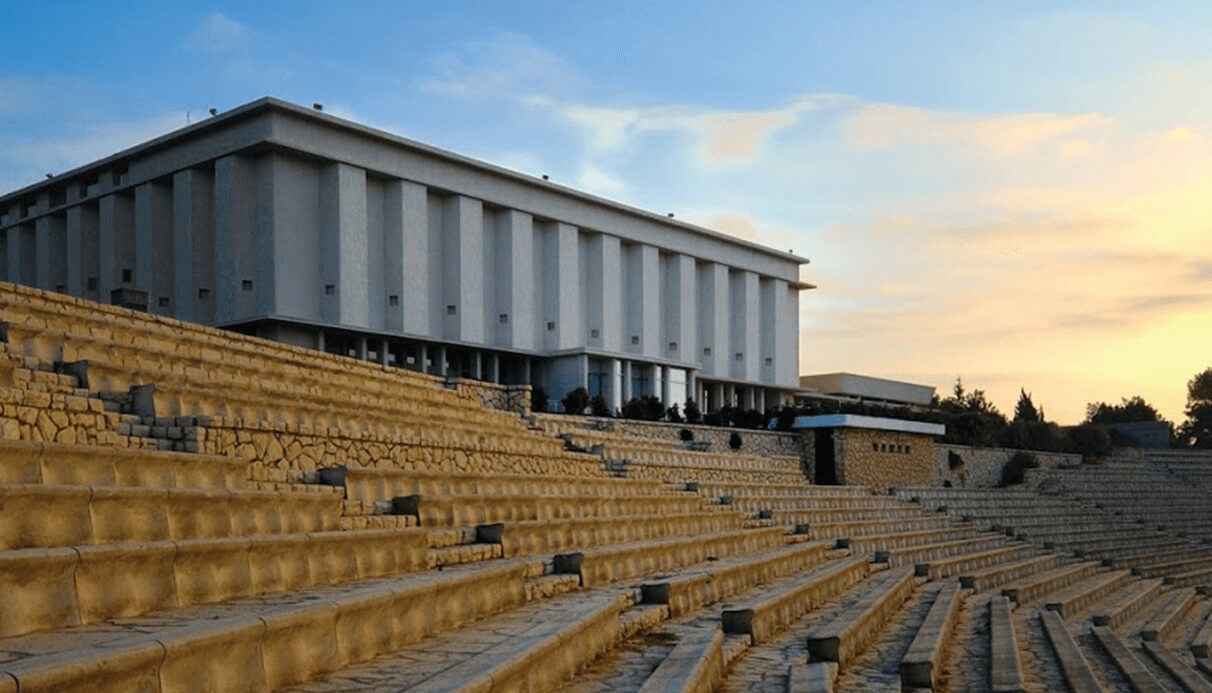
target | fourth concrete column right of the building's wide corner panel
x=516, y=310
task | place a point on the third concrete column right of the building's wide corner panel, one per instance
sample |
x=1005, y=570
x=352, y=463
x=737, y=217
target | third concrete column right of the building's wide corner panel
x=464, y=261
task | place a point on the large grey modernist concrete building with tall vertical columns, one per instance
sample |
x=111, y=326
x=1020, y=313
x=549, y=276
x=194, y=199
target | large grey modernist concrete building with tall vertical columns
x=296, y=226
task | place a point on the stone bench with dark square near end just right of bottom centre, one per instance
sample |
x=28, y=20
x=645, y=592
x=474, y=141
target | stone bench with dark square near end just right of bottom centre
x=691, y=591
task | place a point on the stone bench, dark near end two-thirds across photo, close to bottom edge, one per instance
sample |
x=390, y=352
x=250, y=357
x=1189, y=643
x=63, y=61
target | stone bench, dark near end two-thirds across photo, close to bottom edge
x=856, y=627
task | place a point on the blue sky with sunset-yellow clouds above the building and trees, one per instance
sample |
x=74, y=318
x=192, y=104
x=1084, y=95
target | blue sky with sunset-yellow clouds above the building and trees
x=1013, y=193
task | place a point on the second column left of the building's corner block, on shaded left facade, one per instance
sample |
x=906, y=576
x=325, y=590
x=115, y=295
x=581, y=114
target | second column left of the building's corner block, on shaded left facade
x=155, y=257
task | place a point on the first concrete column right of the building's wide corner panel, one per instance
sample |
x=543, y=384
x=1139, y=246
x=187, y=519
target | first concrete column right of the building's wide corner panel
x=344, y=243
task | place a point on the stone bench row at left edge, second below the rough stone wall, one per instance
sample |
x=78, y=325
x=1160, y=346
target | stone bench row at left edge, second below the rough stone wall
x=41, y=516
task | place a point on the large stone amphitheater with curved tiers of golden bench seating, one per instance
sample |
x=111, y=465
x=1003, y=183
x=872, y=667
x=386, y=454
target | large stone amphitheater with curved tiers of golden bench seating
x=187, y=509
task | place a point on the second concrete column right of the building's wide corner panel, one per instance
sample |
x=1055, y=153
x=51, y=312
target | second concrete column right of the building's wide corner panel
x=407, y=256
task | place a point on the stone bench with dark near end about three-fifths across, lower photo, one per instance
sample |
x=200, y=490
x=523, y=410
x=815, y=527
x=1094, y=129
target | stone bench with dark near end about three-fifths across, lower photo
x=784, y=603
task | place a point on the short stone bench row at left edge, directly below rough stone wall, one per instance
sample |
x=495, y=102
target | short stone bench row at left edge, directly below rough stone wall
x=24, y=462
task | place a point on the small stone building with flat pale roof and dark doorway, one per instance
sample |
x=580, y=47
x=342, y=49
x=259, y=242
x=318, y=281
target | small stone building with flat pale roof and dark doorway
x=868, y=451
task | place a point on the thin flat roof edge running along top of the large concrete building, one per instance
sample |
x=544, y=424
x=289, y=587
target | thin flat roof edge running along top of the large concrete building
x=270, y=104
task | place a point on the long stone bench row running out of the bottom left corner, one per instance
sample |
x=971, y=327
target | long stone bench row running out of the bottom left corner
x=268, y=643
